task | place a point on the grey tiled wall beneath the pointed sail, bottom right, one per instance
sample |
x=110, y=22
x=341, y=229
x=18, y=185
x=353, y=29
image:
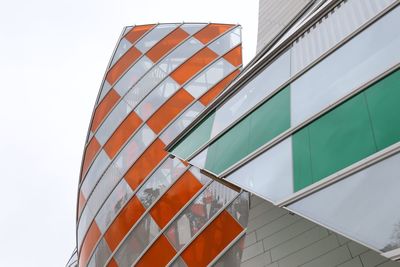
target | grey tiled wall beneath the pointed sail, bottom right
x=276, y=238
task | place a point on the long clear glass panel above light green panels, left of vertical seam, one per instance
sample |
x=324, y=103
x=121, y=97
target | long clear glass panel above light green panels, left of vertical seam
x=252, y=93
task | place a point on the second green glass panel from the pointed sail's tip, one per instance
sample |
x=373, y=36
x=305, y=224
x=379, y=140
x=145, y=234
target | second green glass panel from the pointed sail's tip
x=229, y=148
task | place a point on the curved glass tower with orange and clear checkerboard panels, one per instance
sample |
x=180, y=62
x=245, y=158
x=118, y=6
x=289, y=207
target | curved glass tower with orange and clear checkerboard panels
x=137, y=205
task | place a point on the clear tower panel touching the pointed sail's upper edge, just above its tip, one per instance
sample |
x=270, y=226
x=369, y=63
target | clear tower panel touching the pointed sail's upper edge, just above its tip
x=181, y=122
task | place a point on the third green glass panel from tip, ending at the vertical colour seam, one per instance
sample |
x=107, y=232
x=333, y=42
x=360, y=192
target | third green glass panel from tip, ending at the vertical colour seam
x=270, y=119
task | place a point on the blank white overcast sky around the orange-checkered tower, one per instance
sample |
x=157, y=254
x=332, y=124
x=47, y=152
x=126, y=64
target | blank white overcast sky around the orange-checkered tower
x=53, y=54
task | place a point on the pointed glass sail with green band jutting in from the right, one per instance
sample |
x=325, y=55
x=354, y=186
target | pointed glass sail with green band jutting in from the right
x=308, y=133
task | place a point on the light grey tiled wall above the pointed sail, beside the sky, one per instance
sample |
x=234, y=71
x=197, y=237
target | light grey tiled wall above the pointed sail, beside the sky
x=273, y=16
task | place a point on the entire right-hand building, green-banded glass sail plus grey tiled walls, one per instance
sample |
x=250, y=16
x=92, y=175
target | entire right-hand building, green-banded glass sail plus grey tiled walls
x=311, y=129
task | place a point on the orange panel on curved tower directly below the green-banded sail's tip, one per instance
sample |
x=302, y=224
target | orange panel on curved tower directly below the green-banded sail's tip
x=175, y=198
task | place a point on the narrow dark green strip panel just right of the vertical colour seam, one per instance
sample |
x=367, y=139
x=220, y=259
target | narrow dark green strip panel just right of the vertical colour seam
x=302, y=171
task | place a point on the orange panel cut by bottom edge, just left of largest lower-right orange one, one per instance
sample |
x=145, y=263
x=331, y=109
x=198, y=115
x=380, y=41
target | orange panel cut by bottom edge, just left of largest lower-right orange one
x=159, y=254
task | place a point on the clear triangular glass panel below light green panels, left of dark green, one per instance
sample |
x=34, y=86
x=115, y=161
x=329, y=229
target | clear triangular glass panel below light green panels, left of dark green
x=269, y=175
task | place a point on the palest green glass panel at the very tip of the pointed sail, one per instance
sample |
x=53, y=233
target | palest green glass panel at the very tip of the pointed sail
x=195, y=139
